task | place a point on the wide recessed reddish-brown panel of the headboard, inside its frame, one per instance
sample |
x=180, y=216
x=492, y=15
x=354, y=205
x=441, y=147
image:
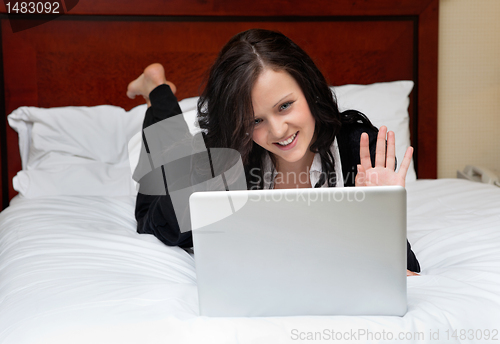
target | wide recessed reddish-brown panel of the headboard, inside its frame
x=91, y=62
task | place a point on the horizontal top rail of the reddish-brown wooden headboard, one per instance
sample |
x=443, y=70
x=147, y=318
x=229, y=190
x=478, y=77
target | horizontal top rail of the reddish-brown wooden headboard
x=246, y=7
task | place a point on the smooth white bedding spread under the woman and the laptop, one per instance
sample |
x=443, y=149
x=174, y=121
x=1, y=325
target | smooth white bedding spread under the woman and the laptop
x=73, y=270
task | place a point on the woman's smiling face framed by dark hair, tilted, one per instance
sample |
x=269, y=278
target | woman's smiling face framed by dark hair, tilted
x=284, y=125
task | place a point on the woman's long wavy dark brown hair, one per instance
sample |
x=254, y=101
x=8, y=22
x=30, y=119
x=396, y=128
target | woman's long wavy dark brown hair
x=225, y=107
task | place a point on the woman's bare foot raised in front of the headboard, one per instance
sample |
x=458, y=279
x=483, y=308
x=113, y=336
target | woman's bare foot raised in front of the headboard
x=153, y=76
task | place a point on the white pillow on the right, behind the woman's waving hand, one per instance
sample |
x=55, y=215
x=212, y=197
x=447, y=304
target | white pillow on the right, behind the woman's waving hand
x=386, y=104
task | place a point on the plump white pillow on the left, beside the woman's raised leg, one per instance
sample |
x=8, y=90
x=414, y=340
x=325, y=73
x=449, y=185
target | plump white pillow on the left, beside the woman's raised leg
x=75, y=150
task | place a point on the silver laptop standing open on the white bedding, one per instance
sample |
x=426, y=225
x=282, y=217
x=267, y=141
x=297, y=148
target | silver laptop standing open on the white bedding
x=327, y=251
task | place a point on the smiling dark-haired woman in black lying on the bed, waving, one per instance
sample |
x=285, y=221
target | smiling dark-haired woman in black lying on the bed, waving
x=266, y=99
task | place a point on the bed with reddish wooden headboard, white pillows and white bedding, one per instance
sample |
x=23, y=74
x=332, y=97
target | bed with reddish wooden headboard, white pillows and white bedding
x=72, y=267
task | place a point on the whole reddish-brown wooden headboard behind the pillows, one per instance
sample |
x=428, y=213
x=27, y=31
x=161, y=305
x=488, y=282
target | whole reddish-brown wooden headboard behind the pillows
x=88, y=55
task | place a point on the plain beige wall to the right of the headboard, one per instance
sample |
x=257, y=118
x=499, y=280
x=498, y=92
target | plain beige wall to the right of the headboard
x=469, y=85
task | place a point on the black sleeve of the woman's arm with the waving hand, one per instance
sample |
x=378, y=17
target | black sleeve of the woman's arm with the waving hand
x=348, y=142
